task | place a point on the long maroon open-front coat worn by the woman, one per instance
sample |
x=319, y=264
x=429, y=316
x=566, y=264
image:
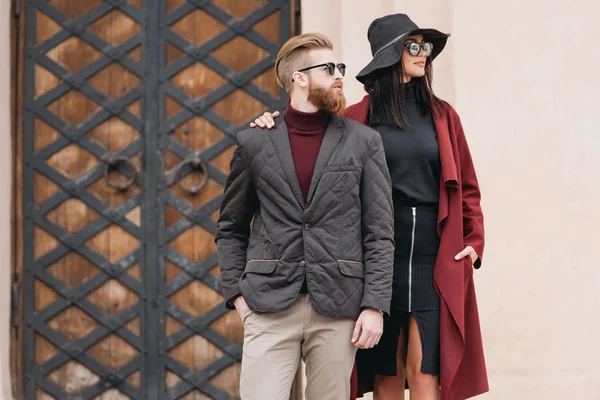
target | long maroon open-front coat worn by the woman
x=460, y=223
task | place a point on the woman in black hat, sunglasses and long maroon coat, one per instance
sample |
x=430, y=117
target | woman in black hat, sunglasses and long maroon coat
x=438, y=223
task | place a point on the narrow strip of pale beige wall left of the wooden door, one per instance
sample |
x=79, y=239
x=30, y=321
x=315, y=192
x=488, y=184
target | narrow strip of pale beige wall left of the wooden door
x=5, y=199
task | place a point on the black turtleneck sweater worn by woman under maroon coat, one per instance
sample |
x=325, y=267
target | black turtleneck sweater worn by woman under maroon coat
x=413, y=156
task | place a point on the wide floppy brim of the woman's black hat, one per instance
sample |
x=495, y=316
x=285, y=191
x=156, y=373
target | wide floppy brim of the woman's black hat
x=392, y=54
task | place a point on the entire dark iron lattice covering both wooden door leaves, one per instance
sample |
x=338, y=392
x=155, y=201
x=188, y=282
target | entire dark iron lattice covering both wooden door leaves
x=152, y=360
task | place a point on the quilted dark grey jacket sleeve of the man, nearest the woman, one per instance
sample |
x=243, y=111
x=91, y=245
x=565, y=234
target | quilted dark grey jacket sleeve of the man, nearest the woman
x=377, y=228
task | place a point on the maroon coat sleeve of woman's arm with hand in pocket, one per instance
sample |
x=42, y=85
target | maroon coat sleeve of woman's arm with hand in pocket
x=471, y=197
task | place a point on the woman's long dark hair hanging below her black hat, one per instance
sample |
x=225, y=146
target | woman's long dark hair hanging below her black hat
x=388, y=106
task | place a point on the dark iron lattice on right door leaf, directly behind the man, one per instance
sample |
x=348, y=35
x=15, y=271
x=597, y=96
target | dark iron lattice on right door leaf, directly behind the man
x=201, y=216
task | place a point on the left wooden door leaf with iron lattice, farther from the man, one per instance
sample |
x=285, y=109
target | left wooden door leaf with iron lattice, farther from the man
x=82, y=237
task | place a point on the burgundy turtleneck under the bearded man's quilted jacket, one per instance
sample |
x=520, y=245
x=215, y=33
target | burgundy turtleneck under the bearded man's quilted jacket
x=306, y=132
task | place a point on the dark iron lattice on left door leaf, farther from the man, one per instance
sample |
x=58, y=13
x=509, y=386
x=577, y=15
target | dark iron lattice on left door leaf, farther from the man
x=73, y=190
